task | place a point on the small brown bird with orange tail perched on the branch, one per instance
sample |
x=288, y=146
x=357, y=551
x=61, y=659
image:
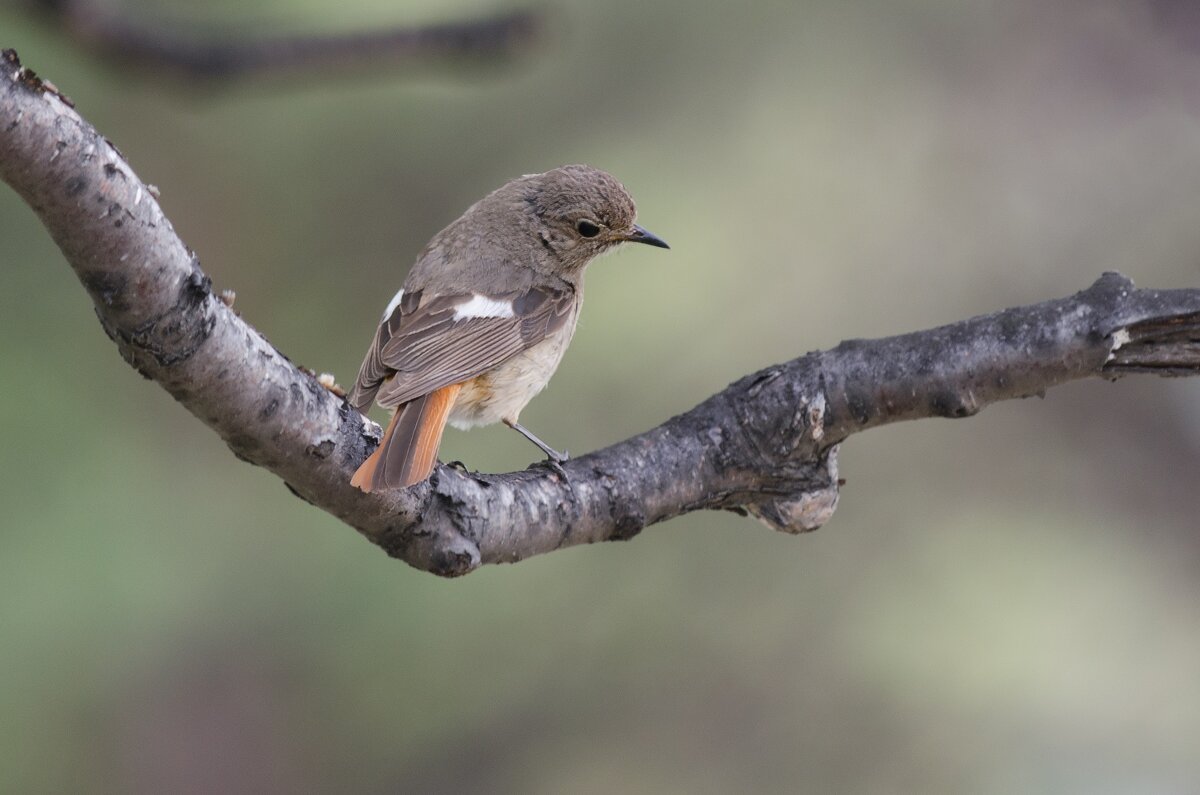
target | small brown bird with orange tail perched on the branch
x=487, y=314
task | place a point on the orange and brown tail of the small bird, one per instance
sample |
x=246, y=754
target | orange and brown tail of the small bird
x=410, y=446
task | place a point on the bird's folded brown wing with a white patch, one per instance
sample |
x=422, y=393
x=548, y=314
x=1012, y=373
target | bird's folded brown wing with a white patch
x=429, y=343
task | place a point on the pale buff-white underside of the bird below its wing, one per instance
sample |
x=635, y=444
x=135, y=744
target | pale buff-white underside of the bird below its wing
x=505, y=391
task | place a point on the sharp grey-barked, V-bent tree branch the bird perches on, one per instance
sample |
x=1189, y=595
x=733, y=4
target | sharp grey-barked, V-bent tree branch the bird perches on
x=766, y=446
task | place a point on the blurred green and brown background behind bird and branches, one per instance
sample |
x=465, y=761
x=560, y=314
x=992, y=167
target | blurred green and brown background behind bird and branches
x=1005, y=605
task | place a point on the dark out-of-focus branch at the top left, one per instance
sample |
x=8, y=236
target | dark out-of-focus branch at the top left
x=113, y=34
